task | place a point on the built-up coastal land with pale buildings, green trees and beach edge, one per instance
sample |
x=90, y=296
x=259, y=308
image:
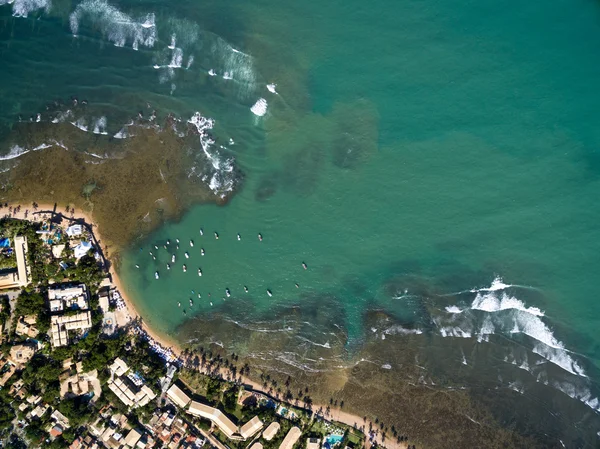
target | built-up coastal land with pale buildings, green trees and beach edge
x=79, y=369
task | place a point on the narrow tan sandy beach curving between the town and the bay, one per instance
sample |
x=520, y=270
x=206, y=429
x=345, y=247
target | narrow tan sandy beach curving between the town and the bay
x=129, y=313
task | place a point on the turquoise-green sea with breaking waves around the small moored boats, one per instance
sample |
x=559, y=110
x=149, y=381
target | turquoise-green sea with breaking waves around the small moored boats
x=433, y=160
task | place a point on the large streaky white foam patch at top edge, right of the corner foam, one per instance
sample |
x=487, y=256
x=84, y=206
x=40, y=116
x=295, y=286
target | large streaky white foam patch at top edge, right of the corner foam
x=117, y=26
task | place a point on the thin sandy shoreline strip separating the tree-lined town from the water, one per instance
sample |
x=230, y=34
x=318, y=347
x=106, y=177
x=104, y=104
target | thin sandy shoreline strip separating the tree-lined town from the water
x=131, y=314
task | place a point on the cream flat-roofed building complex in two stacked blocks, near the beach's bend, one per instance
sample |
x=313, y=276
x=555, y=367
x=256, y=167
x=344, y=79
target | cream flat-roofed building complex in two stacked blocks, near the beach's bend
x=69, y=303
